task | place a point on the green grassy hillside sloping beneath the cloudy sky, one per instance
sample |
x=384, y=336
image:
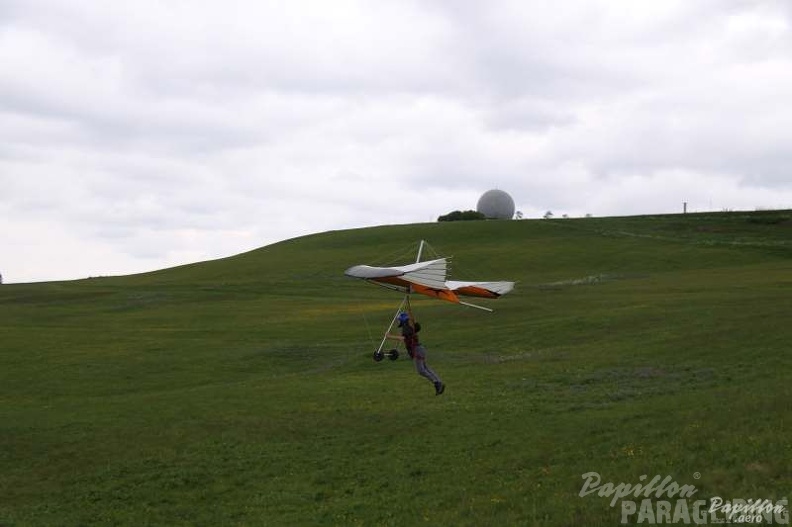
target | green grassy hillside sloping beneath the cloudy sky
x=242, y=391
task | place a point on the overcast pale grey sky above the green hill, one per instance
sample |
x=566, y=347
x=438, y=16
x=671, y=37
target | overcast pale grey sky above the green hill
x=141, y=135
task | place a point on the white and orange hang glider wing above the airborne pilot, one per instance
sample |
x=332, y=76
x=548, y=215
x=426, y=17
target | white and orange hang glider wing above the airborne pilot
x=429, y=278
